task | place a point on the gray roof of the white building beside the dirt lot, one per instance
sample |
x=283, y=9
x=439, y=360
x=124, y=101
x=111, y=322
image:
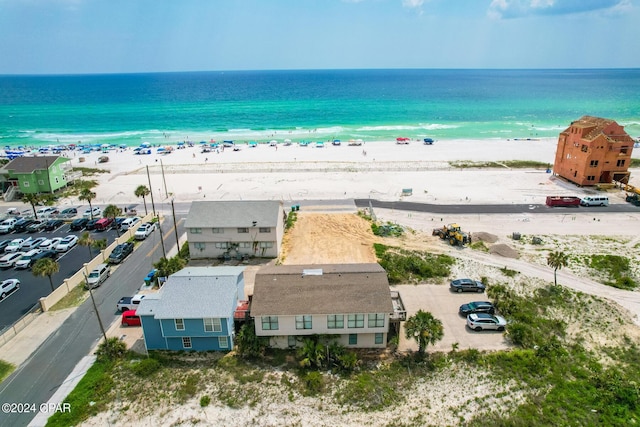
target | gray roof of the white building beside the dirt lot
x=240, y=213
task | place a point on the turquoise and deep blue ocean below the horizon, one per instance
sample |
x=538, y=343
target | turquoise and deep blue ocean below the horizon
x=321, y=105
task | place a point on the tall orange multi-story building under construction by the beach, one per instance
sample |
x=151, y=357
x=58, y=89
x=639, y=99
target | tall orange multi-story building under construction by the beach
x=593, y=151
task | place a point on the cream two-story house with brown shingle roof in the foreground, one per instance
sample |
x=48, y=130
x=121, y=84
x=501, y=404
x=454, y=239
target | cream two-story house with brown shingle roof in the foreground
x=349, y=302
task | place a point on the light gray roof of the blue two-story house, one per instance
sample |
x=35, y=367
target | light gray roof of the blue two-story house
x=199, y=292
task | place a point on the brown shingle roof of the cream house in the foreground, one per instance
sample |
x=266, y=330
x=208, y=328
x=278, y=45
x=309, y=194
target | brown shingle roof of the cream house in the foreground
x=341, y=288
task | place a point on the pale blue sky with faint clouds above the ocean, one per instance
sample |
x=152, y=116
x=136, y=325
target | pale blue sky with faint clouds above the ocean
x=117, y=36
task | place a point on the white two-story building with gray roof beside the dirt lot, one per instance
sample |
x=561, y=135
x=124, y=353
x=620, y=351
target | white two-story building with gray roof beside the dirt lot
x=235, y=228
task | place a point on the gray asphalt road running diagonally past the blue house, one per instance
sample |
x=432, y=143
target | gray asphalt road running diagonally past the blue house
x=39, y=377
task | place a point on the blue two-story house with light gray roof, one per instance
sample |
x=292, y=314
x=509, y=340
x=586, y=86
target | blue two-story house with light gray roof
x=193, y=310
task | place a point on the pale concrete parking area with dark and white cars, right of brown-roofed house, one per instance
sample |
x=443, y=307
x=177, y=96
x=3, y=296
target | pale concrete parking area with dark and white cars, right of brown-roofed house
x=443, y=305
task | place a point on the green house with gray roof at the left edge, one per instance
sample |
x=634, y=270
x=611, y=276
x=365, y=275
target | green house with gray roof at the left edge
x=32, y=175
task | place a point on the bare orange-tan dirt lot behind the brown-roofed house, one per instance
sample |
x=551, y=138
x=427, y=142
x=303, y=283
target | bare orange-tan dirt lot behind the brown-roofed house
x=328, y=239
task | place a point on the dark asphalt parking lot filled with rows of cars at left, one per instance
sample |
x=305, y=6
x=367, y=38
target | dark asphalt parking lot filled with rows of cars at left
x=33, y=288
